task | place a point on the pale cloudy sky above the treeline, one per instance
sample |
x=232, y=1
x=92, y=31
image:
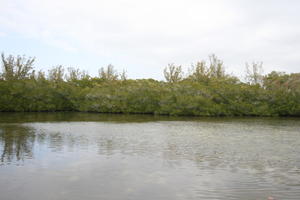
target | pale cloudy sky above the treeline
x=142, y=36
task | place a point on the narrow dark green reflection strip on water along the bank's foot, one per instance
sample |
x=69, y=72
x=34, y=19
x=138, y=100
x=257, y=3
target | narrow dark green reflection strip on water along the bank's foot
x=123, y=118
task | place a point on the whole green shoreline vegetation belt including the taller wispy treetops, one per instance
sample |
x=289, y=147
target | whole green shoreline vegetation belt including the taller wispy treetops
x=206, y=91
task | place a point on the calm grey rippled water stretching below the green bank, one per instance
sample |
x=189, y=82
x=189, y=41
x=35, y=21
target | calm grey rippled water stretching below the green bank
x=91, y=156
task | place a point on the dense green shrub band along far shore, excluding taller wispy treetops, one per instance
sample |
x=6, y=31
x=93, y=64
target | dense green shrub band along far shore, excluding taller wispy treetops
x=186, y=98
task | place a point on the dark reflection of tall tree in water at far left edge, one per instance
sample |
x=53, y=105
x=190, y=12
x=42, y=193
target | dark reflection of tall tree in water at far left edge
x=16, y=142
